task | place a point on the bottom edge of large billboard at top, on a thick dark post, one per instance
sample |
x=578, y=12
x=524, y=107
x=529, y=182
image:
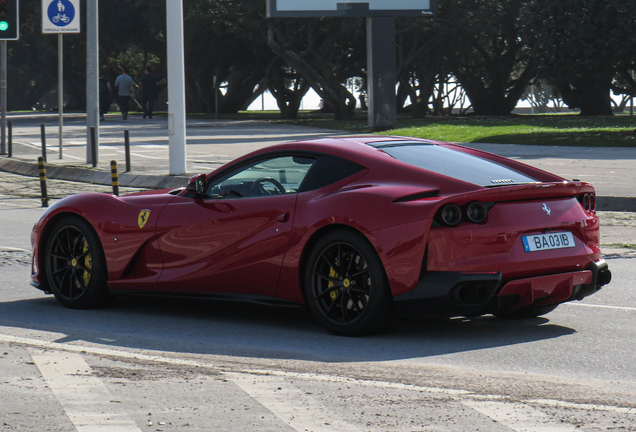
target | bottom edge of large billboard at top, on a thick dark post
x=359, y=8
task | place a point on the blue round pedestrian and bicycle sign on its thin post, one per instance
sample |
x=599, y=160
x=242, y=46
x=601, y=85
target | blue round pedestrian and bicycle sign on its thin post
x=59, y=17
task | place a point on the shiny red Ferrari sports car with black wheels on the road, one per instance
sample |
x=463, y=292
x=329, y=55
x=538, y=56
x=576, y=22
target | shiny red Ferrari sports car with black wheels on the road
x=355, y=228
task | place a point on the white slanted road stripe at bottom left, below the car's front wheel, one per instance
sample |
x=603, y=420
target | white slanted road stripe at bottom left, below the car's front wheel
x=85, y=398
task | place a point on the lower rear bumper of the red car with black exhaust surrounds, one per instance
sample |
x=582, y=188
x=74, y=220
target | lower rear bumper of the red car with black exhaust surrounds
x=462, y=294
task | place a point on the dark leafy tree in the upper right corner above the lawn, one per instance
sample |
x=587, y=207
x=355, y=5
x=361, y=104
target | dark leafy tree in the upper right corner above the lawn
x=582, y=46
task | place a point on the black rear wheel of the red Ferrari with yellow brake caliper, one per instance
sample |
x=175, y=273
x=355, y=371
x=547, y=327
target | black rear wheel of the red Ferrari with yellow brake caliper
x=346, y=287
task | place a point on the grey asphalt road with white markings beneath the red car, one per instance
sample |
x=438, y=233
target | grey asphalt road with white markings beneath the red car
x=165, y=364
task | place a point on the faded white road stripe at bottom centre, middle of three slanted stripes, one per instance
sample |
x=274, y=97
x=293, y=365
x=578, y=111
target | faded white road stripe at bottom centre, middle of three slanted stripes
x=299, y=410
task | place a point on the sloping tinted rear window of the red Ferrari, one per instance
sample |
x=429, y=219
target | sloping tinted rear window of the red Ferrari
x=456, y=164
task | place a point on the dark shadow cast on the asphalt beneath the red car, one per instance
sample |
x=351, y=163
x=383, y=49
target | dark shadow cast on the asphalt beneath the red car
x=242, y=329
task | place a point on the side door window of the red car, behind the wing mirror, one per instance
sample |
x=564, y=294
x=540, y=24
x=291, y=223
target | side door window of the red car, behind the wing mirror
x=275, y=176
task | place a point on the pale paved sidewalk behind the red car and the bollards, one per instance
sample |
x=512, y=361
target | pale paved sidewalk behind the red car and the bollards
x=211, y=143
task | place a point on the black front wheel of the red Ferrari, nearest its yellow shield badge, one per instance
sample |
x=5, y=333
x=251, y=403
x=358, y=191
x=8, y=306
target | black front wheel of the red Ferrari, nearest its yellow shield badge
x=75, y=266
